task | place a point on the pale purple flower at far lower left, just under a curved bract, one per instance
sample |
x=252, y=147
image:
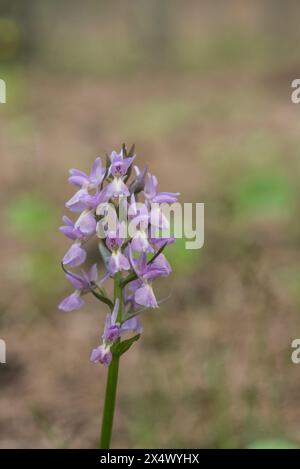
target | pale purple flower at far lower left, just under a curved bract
x=83, y=284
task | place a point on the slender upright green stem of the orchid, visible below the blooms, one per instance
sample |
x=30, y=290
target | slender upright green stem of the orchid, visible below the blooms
x=112, y=381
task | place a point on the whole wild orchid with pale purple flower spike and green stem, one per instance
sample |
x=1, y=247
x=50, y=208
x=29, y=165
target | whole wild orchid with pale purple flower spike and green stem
x=132, y=258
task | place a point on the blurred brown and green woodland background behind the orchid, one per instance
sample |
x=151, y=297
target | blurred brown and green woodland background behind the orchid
x=203, y=89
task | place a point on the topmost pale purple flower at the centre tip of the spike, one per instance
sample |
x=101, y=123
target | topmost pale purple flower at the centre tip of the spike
x=118, y=169
